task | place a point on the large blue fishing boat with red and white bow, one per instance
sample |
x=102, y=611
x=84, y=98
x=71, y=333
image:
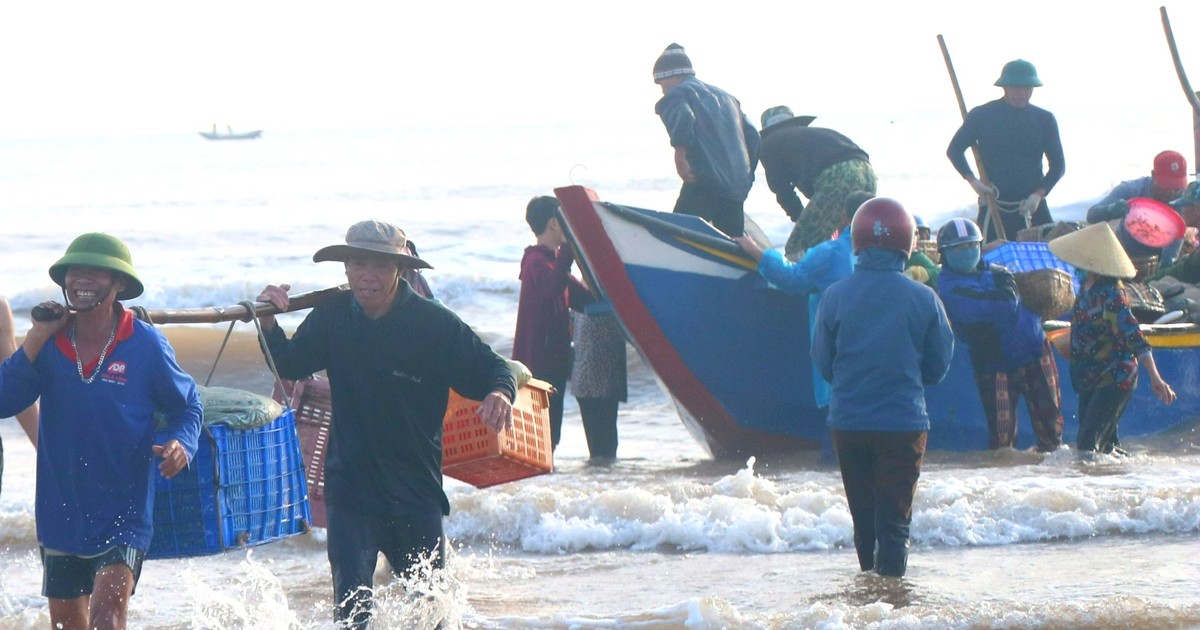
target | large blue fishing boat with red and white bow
x=733, y=352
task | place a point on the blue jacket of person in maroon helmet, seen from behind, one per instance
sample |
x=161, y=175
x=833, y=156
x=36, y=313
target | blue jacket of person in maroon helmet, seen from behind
x=880, y=339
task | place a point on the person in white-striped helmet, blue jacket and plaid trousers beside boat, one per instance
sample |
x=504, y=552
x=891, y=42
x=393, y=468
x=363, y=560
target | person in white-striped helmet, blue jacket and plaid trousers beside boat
x=1010, y=352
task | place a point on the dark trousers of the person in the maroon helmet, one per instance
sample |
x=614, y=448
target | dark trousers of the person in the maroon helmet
x=880, y=472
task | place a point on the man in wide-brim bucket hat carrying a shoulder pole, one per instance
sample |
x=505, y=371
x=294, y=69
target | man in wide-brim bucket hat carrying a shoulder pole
x=392, y=358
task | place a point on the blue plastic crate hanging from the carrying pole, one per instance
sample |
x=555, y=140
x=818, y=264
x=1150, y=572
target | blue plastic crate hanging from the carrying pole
x=244, y=489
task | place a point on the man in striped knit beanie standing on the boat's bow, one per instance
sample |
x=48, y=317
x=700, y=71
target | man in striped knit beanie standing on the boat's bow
x=716, y=145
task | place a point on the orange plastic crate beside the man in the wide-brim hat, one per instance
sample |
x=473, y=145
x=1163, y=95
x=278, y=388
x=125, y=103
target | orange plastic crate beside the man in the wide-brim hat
x=477, y=455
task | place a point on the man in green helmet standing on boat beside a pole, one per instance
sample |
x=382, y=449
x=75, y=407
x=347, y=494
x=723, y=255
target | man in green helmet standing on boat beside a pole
x=1013, y=137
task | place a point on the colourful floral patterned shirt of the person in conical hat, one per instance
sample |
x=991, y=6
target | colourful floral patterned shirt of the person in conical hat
x=1106, y=340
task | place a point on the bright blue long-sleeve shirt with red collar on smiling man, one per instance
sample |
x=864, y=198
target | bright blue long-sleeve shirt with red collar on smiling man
x=95, y=464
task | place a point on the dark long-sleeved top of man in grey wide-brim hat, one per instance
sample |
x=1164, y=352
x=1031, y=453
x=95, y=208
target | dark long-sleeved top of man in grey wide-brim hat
x=389, y=380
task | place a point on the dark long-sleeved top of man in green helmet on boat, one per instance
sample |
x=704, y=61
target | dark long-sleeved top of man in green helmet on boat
x=1012, y=145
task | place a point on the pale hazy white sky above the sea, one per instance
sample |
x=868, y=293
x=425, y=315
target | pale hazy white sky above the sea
x=166, y=67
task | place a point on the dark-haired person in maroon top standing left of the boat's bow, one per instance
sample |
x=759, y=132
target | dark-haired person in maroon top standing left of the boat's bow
x=543, y=338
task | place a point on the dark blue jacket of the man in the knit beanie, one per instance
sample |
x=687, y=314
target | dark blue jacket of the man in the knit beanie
x=723, y=145
